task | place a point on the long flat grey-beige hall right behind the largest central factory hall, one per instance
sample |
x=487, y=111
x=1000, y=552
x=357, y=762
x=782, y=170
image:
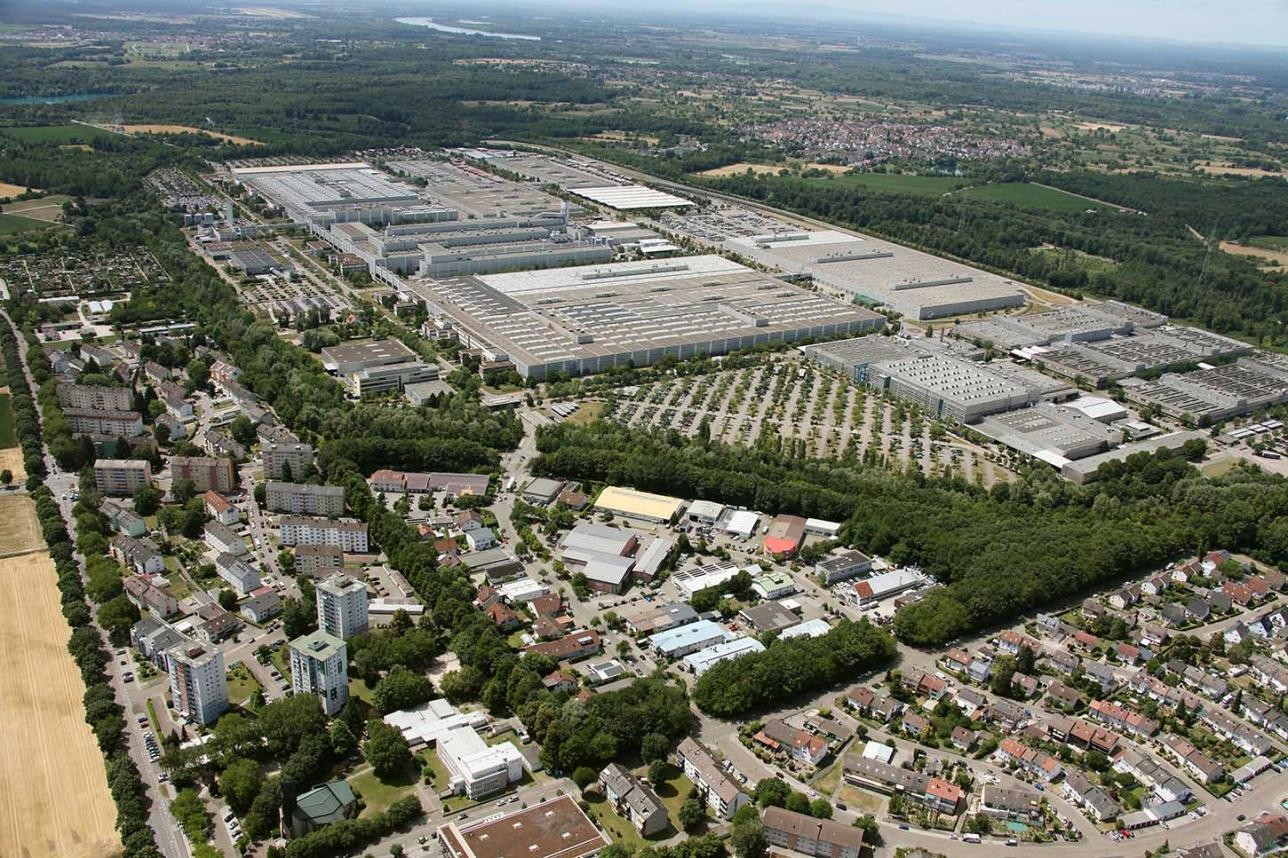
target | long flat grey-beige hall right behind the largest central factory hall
x=911, y=283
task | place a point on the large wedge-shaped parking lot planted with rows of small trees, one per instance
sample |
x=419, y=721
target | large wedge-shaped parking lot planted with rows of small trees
x=820, y=412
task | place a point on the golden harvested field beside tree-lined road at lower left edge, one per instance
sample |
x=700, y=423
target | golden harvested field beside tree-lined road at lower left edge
x=53, y=789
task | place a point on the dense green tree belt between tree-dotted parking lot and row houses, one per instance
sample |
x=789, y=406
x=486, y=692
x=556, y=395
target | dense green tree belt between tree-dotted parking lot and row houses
x=1001, y=553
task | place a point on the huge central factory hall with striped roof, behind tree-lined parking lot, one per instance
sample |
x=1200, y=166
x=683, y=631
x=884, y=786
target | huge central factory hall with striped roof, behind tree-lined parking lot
x=588, y=319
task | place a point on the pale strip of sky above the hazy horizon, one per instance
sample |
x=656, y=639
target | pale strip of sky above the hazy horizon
x=1262, y=23
